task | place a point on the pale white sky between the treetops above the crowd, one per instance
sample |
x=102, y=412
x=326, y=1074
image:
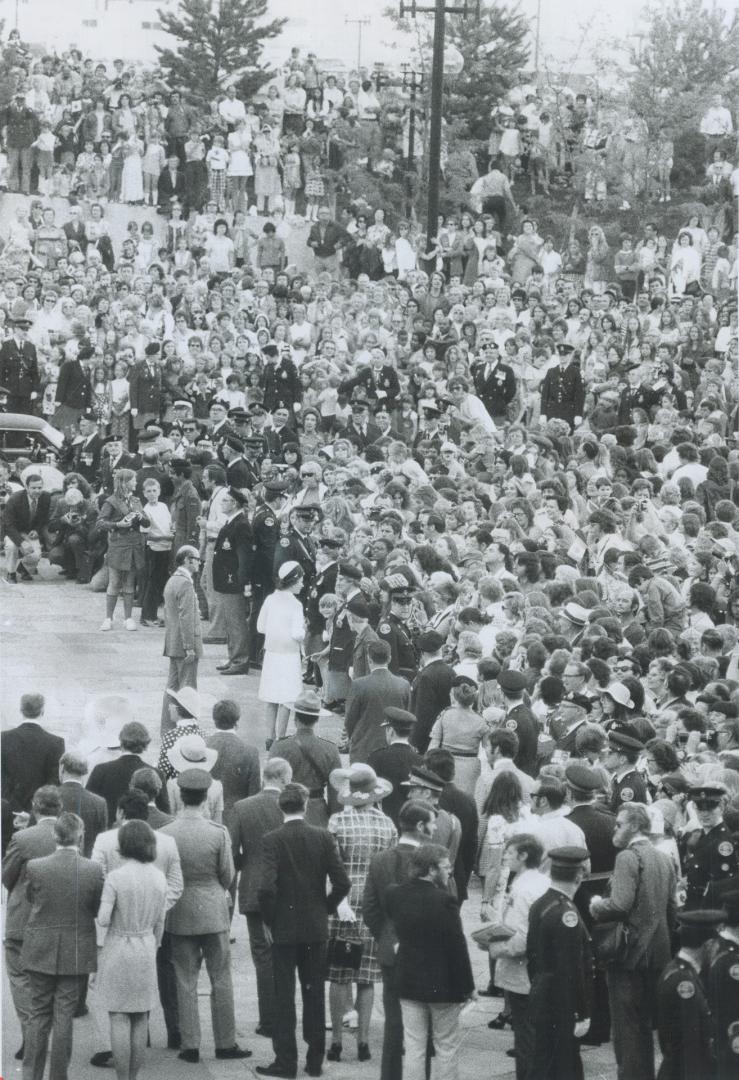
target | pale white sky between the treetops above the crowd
x=325, y=26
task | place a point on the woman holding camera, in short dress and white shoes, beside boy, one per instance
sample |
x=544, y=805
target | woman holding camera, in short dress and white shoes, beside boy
x=122, y=518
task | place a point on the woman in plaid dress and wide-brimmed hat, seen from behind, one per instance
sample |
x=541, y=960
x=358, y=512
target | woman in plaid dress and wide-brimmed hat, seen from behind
x=361, y=831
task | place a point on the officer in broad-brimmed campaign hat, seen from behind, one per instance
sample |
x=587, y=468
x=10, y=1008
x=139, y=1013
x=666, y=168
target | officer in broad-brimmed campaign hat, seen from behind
x=313, y=760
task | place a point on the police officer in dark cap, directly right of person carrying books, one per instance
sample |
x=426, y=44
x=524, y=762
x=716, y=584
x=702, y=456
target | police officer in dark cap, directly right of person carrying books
x=560, y=969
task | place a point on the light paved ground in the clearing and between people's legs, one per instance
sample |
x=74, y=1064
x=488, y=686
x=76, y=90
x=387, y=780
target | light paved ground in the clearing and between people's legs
x=50, y=643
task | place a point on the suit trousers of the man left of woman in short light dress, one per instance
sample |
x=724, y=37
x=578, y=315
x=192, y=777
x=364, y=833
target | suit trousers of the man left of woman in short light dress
x=52, y=1003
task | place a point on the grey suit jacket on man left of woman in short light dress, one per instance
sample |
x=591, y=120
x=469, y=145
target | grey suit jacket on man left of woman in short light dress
x=65, y=892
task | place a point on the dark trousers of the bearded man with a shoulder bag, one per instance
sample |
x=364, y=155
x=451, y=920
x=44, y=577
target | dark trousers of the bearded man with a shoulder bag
x=631, y=995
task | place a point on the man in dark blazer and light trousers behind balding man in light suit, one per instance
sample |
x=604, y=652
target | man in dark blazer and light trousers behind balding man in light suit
x=233, y=560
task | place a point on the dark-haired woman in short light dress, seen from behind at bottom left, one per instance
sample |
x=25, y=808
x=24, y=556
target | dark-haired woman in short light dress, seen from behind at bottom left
x=132, y=911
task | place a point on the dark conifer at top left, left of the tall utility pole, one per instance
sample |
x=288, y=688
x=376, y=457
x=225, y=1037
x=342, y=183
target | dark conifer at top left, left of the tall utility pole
x=219, y=40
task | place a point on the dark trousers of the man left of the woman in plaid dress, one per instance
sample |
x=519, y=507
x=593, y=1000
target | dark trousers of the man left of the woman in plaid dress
x=310, y=960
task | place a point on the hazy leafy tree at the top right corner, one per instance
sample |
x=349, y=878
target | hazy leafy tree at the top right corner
x=689, y=52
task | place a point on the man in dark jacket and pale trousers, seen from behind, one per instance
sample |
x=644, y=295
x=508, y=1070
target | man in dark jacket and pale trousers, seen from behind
x=434, y=975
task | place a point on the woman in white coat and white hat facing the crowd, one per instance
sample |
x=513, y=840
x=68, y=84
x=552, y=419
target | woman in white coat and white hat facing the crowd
x=283, y=623
